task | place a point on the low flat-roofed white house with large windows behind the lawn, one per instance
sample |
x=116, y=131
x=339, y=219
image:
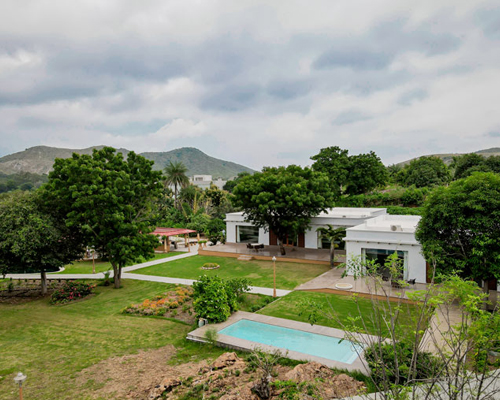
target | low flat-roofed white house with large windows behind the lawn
x=371, y=233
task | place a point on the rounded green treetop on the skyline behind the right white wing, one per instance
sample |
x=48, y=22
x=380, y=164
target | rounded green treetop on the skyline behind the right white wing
x=424, y=171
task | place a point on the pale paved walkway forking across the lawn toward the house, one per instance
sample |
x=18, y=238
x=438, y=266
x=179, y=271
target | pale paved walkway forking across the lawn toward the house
x=150, y=278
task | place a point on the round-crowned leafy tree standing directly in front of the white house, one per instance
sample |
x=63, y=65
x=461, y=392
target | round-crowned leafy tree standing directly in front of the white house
x=283, y=199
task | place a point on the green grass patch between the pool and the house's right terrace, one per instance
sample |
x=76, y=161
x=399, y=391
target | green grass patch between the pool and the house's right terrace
x=335, y=311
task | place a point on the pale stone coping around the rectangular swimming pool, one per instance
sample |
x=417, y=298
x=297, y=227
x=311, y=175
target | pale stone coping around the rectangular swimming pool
x=198, y=335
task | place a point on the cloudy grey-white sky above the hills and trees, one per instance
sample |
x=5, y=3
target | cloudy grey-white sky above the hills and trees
x=260, y=83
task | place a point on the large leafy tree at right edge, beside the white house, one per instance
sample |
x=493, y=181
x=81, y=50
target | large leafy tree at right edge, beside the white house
x=460, y=227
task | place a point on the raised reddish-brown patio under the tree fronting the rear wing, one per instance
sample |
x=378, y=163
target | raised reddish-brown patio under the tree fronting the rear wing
x=293, y=254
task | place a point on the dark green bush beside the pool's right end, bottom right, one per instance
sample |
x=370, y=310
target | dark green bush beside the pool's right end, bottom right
x=382, y=358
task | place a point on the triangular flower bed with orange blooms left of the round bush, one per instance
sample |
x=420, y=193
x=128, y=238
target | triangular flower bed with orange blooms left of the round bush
x=166, y=305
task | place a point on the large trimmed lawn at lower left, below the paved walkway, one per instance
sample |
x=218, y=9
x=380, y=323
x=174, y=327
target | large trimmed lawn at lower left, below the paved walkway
x=50, y=344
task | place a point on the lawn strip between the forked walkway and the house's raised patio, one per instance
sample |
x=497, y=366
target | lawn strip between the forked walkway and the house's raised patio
x=259, y=273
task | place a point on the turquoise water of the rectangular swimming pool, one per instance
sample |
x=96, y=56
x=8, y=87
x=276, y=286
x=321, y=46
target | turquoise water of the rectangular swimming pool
x=294, y=340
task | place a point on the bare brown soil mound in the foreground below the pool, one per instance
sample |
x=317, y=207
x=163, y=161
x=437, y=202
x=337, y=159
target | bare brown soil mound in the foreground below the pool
x=146, y=375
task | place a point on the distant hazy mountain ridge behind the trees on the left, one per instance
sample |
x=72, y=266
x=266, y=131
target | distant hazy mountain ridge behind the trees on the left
x=39, y=160
